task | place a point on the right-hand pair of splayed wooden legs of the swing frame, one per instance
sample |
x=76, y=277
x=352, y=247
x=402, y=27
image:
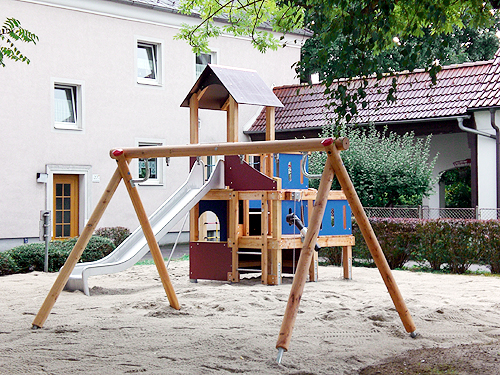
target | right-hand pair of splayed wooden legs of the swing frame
x=334, y=166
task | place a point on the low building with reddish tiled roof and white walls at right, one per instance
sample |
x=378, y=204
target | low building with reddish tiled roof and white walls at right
x=456, y=111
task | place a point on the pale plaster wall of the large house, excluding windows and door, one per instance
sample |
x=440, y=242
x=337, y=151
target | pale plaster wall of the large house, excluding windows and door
x=97, y=49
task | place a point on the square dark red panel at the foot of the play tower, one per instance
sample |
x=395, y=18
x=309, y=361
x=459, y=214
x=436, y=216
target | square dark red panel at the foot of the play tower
x=209, y=260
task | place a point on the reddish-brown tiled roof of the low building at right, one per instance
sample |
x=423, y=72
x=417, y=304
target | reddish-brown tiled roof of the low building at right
x=459, y=88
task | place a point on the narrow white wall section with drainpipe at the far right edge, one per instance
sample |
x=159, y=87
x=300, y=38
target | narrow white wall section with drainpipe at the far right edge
x=486, y=164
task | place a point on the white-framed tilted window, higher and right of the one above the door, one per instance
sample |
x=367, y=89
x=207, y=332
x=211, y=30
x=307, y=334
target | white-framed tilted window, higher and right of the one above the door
x=149, y=63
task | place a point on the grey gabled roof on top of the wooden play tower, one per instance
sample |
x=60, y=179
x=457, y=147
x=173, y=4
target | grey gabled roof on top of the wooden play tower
x=216, y=83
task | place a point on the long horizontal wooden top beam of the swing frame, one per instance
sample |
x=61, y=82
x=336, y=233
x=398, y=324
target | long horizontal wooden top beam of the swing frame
x=231, y=148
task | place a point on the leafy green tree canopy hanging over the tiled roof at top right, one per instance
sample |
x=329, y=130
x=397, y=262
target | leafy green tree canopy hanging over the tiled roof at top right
x=361, y=30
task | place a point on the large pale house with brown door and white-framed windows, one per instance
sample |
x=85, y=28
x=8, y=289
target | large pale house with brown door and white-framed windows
x=104, y=74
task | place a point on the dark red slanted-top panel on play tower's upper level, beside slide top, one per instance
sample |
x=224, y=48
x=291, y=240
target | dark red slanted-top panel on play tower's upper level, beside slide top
x=241, y=176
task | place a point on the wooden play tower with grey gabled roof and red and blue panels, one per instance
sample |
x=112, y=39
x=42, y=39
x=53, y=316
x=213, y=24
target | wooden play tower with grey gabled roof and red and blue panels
x=269, y=246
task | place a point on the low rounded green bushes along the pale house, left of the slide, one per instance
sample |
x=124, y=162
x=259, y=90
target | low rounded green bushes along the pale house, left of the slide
x=31, y=257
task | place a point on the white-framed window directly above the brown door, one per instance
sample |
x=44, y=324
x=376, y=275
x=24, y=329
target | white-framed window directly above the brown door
x=67, y=105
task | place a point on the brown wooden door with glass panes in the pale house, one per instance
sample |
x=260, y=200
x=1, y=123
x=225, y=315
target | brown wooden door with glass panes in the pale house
x=65, y=217
